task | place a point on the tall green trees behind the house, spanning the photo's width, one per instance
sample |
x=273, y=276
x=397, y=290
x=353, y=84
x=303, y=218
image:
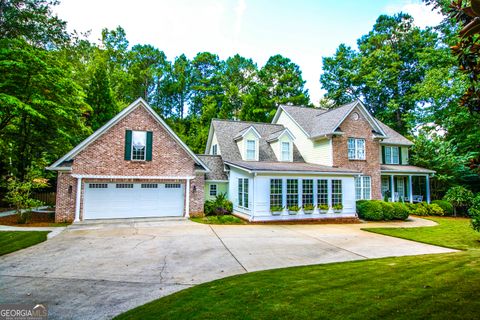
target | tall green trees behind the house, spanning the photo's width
x=56, y=88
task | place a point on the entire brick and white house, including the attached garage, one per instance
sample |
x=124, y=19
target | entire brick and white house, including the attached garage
x=312, y=159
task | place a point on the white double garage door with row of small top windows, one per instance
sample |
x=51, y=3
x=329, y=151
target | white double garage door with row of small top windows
x=130, y=200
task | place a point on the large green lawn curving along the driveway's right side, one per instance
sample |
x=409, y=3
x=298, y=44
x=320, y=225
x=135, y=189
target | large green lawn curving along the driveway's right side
x=442, y=286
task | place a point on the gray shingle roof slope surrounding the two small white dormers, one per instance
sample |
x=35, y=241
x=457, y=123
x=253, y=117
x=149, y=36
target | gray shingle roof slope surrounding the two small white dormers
x=227, y=130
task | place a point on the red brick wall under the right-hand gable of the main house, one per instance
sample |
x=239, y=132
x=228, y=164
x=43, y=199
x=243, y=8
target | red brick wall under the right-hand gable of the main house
x=371, y=165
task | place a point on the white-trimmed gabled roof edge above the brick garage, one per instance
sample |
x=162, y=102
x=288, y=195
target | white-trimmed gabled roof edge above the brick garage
x=137, y=103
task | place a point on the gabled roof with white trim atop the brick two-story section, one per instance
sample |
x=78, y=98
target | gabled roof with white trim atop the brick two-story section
x=317, y=123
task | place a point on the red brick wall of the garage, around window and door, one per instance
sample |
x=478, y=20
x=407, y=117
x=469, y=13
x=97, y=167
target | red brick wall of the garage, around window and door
x=105, y=156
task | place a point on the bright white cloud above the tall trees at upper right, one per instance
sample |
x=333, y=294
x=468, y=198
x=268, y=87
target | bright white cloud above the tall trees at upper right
x=422, y=14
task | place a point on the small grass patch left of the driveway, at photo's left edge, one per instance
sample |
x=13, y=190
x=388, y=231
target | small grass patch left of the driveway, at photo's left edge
x=11, y=241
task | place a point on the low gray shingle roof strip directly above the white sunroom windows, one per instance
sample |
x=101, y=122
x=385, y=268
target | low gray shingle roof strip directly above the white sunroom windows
x=289, y=167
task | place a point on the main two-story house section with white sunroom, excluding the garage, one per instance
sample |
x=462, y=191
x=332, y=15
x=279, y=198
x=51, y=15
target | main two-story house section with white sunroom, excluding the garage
x=312, y=157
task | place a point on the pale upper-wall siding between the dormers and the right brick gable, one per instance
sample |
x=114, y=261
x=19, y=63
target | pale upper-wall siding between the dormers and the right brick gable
x=319, y=152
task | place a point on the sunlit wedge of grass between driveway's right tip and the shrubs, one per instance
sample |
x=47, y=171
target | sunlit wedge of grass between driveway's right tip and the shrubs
x=453, y=233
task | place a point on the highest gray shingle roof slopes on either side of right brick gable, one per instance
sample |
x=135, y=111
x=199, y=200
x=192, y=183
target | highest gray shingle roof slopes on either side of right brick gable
x=319, y=122
